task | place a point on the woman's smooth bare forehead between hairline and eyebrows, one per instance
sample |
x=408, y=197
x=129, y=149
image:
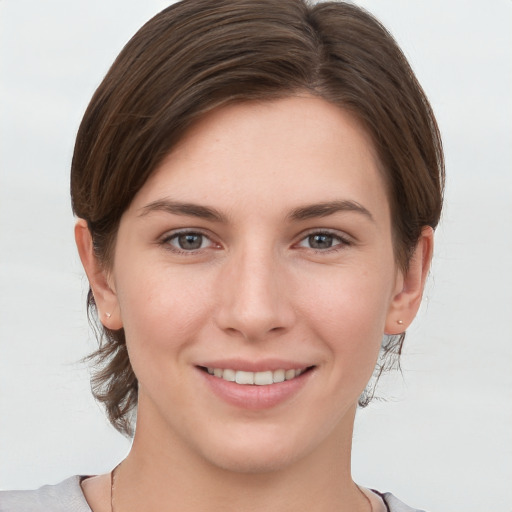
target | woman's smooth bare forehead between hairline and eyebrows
x=289, y=151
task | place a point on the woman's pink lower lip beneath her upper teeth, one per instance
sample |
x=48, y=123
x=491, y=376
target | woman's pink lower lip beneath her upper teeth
x=255, y=397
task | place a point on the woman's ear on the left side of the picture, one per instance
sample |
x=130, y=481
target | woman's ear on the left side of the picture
x=99, y=279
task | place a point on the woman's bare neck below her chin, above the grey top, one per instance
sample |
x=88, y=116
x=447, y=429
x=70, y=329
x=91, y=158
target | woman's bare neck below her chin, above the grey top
x=158, y=472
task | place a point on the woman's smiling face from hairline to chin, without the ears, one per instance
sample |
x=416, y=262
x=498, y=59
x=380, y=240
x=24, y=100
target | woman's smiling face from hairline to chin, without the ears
x=260, y=250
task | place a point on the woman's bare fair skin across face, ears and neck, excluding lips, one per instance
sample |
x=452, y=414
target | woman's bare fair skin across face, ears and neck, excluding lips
x=259, y=287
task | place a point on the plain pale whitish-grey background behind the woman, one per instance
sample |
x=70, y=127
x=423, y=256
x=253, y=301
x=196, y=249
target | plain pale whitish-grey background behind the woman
x=443, y=439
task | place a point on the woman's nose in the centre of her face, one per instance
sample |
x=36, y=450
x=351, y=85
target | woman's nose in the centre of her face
x=254, y=296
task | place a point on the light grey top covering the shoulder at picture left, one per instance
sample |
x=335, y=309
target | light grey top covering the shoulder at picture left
x=66, y=496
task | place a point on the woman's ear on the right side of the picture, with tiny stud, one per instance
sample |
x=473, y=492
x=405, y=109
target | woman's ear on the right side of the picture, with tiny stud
x=410, y=285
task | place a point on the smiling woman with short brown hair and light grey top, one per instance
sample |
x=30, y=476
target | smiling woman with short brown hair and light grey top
x=256, y=185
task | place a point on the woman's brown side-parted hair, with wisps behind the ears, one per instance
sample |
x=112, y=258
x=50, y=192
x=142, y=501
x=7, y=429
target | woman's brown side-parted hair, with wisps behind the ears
x=197, y=55
